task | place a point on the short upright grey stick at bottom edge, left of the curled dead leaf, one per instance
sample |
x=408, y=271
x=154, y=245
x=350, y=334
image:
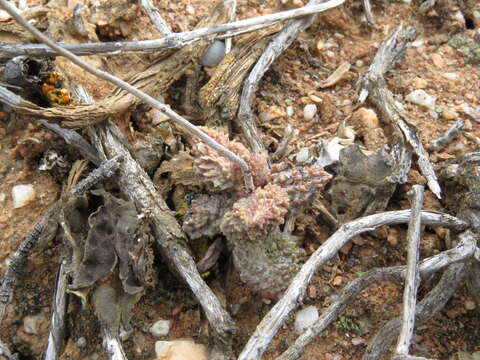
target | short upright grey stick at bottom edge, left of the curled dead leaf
x=59, y=311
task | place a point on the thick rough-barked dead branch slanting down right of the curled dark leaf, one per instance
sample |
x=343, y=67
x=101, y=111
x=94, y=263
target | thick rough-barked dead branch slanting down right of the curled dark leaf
x=138, y=187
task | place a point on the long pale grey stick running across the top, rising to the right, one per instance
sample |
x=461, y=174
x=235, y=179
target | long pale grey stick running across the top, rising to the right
x=173, y=40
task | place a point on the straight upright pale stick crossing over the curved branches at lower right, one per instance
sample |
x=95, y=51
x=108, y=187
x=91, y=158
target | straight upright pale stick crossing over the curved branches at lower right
x=412, y=280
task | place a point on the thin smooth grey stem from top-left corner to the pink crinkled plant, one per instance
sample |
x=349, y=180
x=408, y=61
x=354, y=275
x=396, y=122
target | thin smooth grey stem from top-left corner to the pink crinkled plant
x=179, y=120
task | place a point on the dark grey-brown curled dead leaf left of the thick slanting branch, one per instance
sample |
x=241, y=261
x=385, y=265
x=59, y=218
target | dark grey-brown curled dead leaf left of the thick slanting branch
x=100, y=238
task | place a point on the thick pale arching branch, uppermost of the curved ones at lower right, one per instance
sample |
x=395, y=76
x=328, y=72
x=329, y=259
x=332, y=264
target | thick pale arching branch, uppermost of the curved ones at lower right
x=275, y=318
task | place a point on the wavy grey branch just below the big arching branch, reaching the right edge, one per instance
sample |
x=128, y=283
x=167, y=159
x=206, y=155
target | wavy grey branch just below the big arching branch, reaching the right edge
x=464, y=250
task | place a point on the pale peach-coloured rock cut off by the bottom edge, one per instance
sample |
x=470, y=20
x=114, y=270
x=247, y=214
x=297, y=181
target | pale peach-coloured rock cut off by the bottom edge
x=180, y=350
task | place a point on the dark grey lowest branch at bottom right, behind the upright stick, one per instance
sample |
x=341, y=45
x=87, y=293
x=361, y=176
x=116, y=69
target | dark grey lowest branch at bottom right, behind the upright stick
x=427, y=308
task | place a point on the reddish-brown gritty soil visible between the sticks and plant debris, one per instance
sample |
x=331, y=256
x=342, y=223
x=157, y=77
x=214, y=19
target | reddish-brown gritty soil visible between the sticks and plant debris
x=338, y=35
